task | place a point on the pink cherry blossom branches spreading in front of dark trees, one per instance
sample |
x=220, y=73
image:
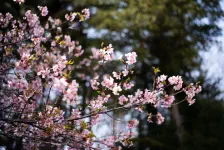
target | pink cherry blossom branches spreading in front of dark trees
x=47, y=89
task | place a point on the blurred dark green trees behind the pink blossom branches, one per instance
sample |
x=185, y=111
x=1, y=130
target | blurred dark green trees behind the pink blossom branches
x=169, y=34
